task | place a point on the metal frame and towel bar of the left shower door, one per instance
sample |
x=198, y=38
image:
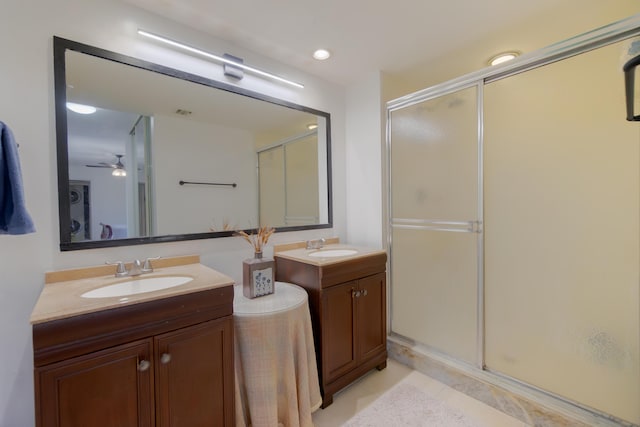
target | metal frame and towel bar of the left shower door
x=474, y=226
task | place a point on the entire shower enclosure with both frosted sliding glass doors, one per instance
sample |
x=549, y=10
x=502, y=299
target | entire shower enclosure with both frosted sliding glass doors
x=514, y=224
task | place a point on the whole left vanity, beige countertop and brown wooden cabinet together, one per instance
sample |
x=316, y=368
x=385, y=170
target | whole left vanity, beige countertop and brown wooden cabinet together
x=156, y=358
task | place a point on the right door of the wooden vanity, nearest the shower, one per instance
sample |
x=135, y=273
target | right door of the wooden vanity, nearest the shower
x=371, y=308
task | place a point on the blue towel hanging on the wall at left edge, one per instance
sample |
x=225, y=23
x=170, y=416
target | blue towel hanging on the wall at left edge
x=14, y=218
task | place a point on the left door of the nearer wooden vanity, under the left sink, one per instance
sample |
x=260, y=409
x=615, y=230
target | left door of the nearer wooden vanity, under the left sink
x=110, y=388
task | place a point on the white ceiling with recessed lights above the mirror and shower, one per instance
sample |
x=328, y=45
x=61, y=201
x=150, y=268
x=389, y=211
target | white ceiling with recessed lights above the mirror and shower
x=393, y=36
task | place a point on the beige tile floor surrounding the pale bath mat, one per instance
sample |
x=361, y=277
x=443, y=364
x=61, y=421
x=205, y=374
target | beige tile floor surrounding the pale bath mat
x=358, y=395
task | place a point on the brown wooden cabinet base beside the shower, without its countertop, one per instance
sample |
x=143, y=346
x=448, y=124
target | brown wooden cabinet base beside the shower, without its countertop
x=348, y=312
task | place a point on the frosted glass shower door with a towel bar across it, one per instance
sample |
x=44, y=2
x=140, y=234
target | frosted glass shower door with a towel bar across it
x=434, y=214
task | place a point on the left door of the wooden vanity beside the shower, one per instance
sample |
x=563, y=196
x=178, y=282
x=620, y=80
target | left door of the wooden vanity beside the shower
x=338, y=330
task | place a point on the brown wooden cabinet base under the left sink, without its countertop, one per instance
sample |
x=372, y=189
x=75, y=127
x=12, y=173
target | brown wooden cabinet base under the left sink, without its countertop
x=161, y=363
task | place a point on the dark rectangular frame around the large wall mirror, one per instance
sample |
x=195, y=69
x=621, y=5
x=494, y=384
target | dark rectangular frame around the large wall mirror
x=60, y=46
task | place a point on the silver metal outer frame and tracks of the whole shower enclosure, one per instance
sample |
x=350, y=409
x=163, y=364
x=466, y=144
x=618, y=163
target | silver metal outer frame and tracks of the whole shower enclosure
x=600, y=37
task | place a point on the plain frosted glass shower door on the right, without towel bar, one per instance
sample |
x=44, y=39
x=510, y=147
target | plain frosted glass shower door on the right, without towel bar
x=562, y=236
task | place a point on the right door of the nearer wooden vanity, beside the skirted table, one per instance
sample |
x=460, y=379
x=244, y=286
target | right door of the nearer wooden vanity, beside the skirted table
x=194, y=375
